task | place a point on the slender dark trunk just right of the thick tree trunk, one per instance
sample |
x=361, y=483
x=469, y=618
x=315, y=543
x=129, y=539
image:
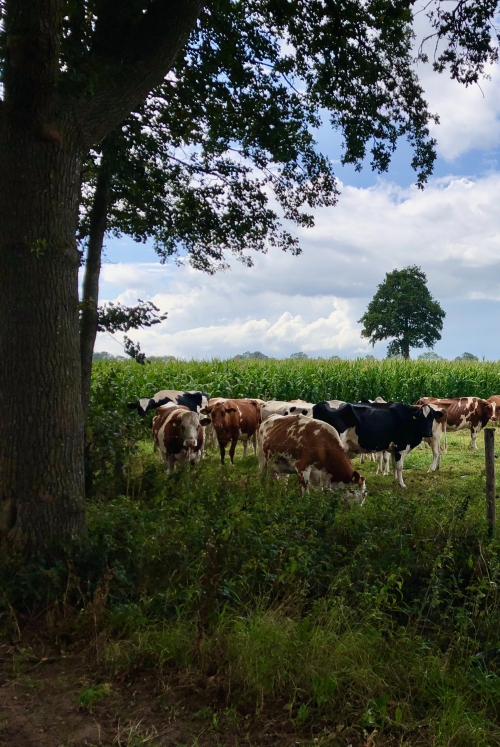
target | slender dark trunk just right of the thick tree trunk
x=90, y=290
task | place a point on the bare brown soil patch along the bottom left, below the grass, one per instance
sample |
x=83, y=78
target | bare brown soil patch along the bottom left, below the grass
x=39, y=707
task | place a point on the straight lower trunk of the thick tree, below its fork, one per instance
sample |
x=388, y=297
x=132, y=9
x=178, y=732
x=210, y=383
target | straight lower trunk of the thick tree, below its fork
x=41, y=425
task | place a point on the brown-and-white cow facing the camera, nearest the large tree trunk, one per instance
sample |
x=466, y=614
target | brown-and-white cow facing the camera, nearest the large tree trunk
x=178, y=434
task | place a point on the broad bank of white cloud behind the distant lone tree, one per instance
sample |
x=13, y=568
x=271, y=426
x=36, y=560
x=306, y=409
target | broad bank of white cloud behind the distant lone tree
x=312, y=302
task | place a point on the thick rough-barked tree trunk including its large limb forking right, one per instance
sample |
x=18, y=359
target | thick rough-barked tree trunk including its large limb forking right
x=44, y=134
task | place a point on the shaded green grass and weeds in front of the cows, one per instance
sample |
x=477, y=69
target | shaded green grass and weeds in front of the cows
x=291, y=608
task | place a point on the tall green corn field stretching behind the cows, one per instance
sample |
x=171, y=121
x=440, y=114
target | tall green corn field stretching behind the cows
x=312, y=380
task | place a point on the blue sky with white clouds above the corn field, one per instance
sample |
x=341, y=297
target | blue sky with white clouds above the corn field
x=311, y=303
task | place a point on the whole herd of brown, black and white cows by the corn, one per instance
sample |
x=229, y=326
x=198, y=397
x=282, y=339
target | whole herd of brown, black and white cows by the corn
x=314, y=441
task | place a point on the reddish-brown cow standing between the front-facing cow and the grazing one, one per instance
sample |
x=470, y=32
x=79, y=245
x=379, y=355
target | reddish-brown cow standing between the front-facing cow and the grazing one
x=234, y=420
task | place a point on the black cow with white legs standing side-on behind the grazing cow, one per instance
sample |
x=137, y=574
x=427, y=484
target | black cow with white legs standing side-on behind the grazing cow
x=392, y=427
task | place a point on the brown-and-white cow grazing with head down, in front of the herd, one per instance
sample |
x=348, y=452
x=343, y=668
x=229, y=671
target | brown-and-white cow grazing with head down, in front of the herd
x=310, y=449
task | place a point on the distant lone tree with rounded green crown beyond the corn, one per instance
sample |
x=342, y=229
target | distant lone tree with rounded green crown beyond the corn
x=403, y=309
